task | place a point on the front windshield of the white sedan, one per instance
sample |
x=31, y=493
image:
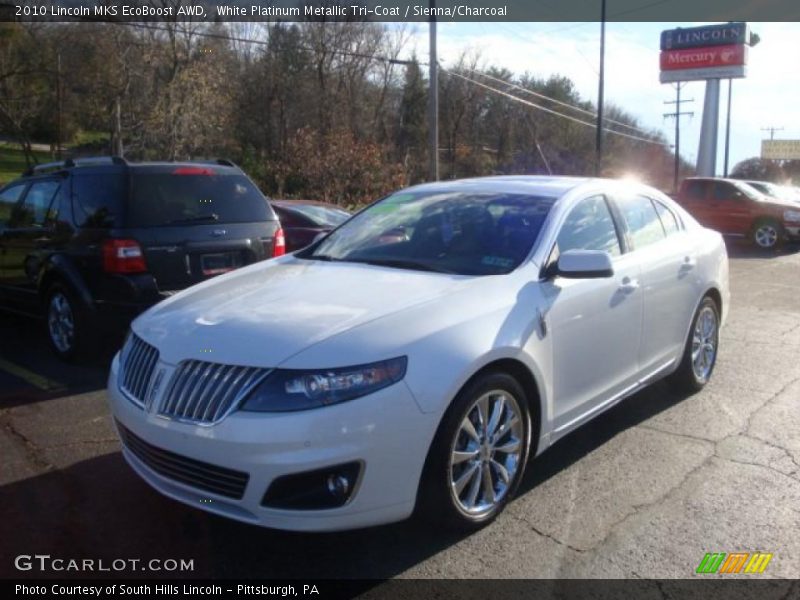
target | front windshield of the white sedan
x=466, y=233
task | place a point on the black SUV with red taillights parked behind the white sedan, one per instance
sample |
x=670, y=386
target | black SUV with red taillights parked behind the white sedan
x=91, y=243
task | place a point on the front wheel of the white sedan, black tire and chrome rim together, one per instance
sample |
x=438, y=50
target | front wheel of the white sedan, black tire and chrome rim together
x=464, y=464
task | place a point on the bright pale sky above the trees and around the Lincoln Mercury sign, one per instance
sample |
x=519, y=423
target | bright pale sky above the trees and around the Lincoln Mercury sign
x=767, y=97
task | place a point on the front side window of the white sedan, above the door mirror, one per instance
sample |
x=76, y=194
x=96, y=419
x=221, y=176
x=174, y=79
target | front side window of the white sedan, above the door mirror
x=589, y=227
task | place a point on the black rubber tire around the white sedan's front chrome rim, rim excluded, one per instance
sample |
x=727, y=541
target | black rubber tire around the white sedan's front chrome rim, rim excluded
x=435, y=501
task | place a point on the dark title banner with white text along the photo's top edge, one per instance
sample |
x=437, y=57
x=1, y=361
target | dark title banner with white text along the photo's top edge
x=397, y=10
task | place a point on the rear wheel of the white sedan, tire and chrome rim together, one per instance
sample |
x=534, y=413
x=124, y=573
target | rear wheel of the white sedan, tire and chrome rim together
x=695, y=371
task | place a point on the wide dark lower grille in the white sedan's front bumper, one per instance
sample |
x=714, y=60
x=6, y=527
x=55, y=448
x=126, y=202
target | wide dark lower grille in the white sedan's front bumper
x=202, y=475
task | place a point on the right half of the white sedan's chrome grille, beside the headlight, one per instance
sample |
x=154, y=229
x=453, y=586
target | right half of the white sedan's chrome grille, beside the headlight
x=204, y=392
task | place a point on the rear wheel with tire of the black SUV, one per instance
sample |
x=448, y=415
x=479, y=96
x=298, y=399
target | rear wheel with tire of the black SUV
x=67, y=324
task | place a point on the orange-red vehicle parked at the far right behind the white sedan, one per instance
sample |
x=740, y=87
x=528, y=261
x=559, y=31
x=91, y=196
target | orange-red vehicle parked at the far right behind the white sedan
x=735, y=208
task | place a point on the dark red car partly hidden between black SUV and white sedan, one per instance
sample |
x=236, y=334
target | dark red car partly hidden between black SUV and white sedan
x=303, y=220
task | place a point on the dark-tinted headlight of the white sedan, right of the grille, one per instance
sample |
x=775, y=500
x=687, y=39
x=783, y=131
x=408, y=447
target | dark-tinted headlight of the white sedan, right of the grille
x=288, y=390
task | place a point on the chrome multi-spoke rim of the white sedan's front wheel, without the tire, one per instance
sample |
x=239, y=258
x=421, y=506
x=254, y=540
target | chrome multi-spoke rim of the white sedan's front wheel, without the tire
x=486, y=453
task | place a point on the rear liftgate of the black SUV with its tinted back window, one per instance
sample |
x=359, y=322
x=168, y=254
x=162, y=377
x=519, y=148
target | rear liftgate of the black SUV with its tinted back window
x=194, y=222
